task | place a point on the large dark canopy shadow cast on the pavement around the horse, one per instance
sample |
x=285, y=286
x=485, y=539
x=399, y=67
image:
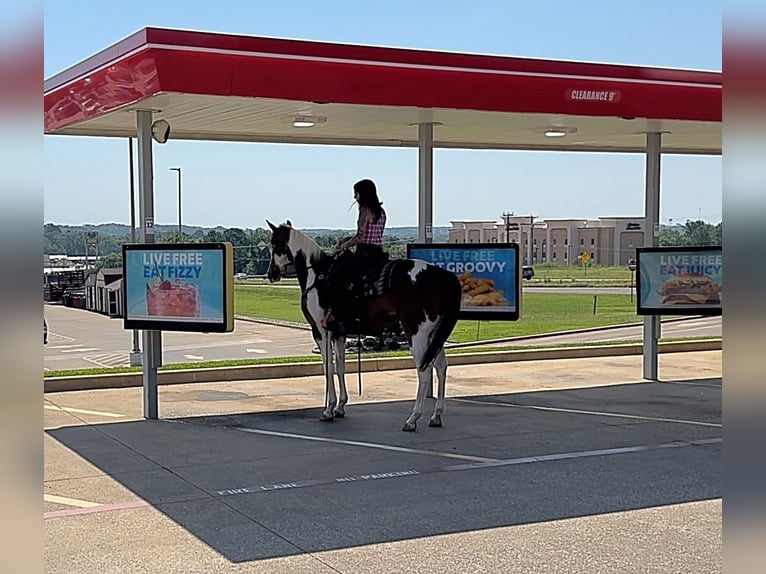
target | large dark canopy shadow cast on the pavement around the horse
x=257, y=486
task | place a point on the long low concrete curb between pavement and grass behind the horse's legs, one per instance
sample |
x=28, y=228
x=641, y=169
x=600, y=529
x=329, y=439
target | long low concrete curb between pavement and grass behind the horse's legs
x=290, y=370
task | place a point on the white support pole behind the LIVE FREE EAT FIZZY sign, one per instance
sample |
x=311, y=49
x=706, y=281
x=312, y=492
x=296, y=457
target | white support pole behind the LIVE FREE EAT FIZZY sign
x=152, y=339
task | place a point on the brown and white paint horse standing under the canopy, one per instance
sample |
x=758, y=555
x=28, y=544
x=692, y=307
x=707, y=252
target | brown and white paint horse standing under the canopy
x=422, y=298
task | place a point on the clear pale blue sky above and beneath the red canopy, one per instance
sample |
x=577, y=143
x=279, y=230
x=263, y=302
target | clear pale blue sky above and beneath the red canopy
x=239, y=185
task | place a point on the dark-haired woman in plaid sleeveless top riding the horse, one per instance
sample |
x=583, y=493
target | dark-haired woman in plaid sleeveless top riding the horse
x=370, y=224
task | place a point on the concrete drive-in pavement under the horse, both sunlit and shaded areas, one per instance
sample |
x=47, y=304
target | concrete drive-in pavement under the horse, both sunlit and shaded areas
x=553, y=466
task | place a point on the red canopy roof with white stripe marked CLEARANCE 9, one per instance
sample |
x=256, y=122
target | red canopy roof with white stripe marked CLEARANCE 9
x=221, y=87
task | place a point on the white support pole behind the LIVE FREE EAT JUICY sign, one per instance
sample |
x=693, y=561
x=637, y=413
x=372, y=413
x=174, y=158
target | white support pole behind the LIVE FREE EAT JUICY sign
x=651, y=232
